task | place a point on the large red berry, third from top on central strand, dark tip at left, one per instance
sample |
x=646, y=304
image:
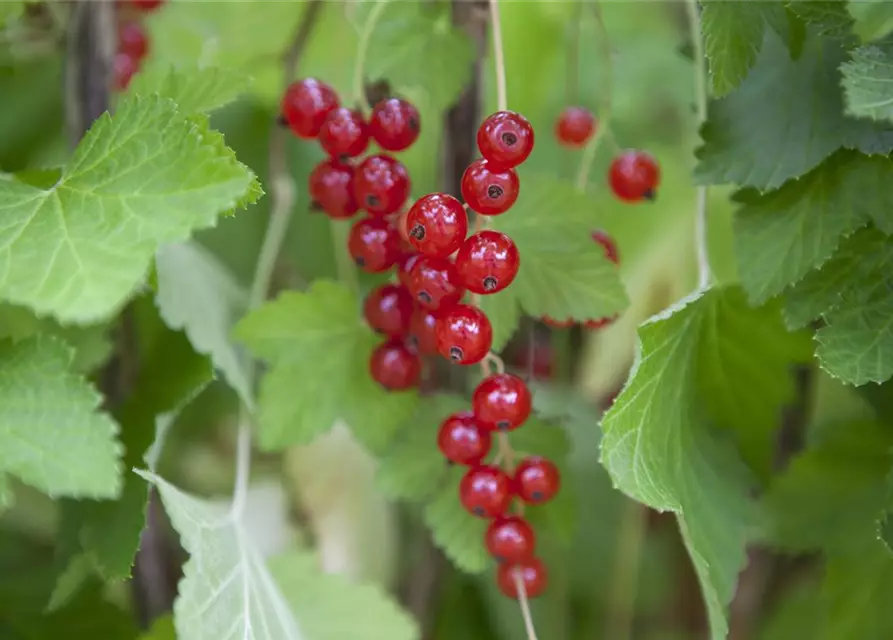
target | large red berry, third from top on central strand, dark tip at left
x=436, y=224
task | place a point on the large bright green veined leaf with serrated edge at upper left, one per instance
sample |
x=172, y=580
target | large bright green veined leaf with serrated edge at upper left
x=140, y=178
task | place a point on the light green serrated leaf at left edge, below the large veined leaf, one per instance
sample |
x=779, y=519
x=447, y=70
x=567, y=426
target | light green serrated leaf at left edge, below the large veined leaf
x=51, y=435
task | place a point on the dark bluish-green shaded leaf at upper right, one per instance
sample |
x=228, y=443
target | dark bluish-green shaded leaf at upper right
x=753, y=141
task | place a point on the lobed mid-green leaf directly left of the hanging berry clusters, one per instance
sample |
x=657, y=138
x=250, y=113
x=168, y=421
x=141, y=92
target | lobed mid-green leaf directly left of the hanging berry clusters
x=319, y=349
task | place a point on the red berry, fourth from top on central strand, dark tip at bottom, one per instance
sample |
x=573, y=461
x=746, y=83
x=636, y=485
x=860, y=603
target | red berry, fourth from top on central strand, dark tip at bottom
x=487, y=262
